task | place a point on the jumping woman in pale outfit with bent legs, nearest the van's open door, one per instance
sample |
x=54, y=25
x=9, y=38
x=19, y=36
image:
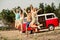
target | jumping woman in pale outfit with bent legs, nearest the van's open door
x=34, y=18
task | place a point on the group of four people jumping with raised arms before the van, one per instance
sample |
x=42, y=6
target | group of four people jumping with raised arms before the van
x=31, y=18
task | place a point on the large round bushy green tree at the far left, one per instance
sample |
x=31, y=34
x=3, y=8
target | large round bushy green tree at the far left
x=7, y=16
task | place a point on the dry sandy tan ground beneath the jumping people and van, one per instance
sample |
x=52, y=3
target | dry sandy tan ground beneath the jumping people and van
x=42, y=35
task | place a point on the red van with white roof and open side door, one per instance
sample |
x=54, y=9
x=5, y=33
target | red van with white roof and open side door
x=49, y=21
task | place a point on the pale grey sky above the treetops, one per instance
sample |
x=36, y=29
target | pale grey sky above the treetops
x=9, y=4
